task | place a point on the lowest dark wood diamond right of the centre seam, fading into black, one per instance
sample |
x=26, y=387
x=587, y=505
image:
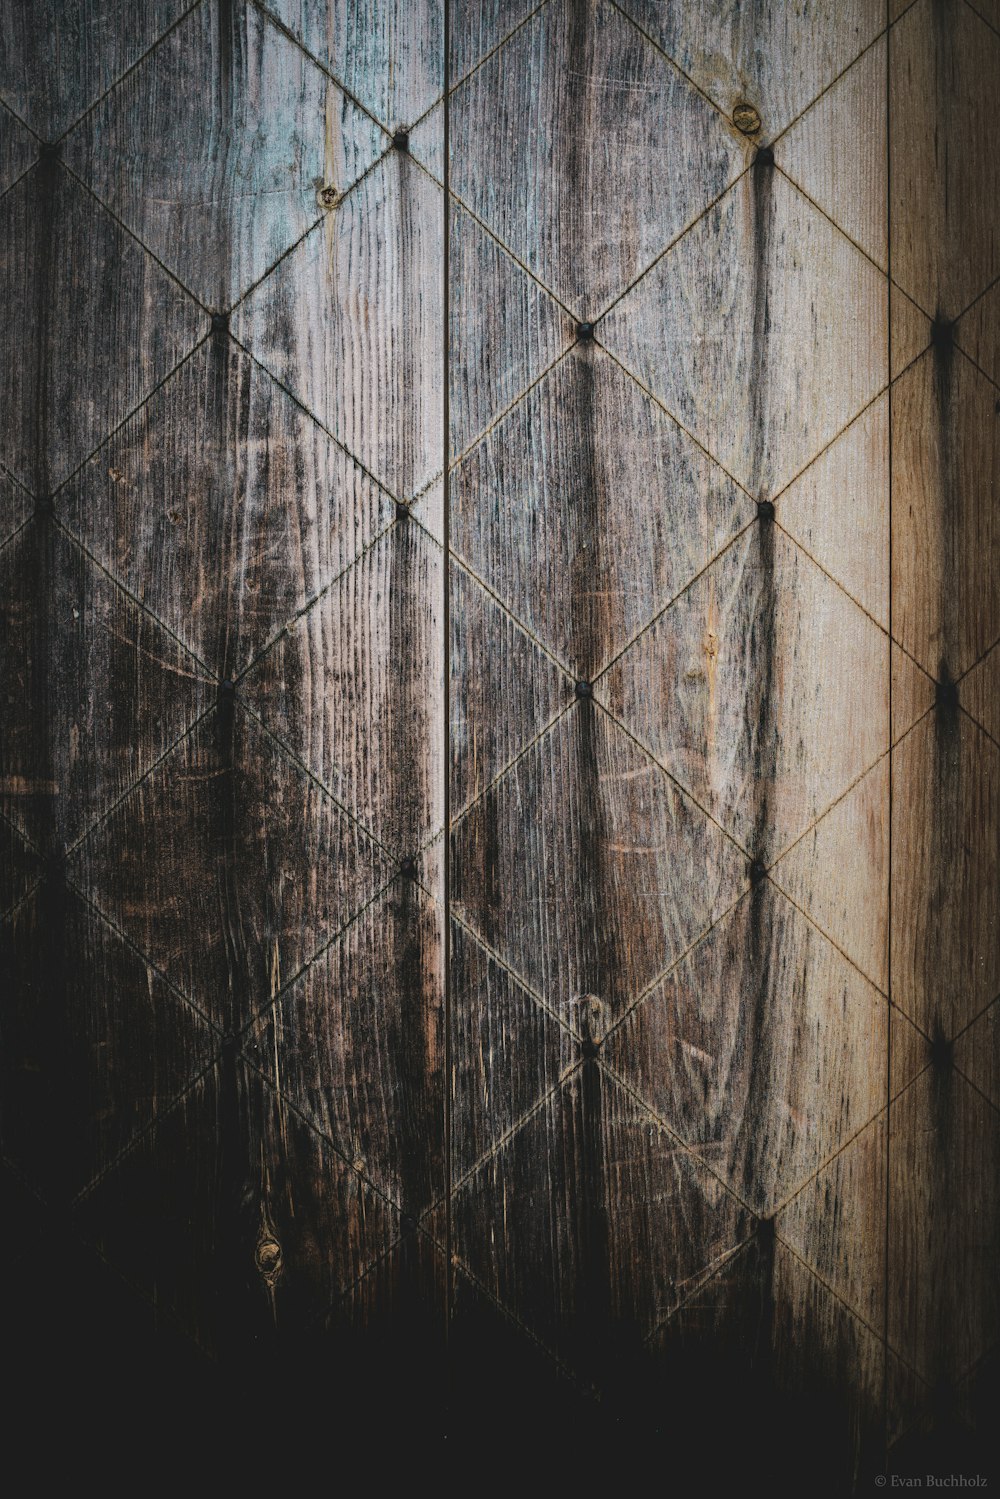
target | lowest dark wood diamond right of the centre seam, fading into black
x=606, y=1219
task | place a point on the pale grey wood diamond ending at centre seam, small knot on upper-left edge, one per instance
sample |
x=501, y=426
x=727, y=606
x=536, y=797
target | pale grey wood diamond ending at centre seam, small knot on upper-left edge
x=352, y=323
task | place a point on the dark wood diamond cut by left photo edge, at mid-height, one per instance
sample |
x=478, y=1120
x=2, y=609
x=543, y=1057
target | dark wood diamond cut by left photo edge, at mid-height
x=95, y=692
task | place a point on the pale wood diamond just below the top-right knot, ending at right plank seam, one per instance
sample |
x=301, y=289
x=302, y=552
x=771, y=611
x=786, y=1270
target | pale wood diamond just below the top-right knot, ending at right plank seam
x=741, y=331
